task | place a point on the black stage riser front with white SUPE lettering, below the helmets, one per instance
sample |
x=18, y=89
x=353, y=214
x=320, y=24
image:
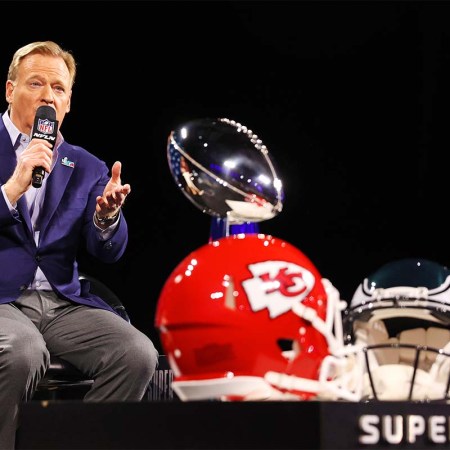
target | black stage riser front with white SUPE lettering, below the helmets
x=216, y=425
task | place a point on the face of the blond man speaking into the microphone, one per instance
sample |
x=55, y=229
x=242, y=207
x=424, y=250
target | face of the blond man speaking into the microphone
x=41, y=80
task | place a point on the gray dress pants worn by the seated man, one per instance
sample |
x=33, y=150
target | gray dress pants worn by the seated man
x=120, y=358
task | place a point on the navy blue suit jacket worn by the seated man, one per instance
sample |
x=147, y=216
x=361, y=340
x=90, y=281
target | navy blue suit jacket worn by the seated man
x=65, y=223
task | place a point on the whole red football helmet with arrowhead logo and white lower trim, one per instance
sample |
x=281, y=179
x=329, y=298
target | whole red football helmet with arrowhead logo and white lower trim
x=248, y=317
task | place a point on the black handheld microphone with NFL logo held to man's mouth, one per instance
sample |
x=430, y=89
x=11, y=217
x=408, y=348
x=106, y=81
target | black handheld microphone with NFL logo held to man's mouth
x=45, y=127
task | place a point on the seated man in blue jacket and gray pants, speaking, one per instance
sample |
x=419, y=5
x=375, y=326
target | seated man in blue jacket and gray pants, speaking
x=43, y=308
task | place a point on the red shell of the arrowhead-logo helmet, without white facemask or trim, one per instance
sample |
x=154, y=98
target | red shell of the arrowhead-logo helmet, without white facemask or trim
x=226, y=310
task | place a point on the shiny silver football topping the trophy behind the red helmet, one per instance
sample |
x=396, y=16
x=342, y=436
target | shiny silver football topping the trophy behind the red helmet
x=225, y=170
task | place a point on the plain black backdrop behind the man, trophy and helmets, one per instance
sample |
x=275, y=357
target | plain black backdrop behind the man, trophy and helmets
x=351, y=99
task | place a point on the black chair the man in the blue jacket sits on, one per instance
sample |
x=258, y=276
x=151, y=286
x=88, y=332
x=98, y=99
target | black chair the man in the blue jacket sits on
x=62, y=380
